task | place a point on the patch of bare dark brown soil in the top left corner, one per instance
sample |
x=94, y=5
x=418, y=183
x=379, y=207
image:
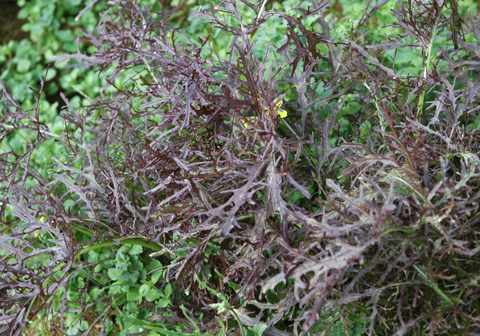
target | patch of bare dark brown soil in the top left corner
x=10, y=25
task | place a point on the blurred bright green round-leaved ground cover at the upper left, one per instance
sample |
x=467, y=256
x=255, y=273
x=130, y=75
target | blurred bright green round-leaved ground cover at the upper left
x=51, y=28
